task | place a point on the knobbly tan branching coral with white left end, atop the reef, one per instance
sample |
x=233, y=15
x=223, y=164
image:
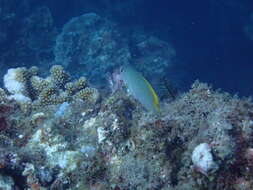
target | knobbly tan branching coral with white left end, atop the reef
x=31, y=90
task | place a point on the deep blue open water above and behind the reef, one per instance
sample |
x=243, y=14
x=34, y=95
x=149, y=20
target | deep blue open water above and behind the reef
x=208, y=36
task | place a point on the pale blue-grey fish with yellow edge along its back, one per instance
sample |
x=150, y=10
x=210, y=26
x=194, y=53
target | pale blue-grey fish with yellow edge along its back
x=140, y=88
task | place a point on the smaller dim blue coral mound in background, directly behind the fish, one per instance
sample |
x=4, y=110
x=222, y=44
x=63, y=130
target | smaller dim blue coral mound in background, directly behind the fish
x=155, y=58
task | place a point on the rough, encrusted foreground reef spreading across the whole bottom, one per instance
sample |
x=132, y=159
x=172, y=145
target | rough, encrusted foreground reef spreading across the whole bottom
x=70, y=140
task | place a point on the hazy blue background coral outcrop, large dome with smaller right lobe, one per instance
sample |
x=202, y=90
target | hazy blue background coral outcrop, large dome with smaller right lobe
x=95, y=45
